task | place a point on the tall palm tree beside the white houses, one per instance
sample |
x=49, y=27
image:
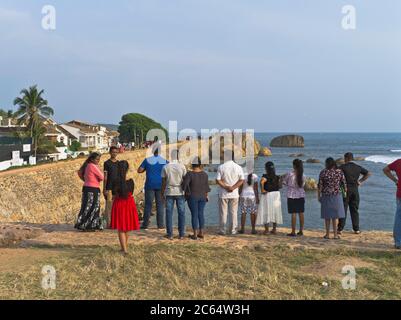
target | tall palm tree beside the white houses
x=31, y=108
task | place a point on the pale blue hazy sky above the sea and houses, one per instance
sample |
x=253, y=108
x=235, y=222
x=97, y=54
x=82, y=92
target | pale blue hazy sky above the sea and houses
x=285, y=66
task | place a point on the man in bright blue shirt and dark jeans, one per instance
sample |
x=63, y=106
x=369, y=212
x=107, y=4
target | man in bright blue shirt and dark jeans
x=153, y=166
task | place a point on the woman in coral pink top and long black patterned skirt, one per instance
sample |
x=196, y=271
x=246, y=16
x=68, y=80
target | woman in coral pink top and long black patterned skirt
x=91, y=174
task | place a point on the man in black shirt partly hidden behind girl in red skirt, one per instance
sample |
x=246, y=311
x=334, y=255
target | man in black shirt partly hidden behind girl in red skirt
x=110, y=176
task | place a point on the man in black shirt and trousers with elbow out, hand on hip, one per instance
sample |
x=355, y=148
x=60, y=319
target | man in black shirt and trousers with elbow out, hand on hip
x=352, y=173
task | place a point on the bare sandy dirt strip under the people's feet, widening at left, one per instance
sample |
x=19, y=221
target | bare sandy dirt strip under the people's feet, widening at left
x=62, y=239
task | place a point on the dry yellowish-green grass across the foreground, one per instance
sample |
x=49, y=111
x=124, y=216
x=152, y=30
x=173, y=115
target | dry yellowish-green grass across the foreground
x=193, y=271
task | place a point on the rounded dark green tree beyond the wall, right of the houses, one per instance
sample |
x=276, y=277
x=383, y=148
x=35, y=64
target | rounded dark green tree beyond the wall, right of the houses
x=135, y=126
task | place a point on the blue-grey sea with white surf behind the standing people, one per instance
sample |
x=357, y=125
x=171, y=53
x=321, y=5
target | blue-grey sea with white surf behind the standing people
x=377, y=206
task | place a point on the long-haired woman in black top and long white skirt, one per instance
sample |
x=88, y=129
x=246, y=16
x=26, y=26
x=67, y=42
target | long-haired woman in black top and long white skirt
x=269, y=210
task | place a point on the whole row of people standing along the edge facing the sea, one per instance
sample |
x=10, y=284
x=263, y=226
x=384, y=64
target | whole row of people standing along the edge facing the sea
x=169, y=184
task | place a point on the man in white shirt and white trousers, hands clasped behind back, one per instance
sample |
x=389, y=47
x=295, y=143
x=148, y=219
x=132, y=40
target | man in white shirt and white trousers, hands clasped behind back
x=230, y=177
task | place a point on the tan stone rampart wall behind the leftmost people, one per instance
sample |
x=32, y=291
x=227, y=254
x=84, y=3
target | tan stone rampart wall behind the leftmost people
x=51, y=193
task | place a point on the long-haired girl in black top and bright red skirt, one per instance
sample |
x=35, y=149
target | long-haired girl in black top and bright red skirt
x=124, y=216
